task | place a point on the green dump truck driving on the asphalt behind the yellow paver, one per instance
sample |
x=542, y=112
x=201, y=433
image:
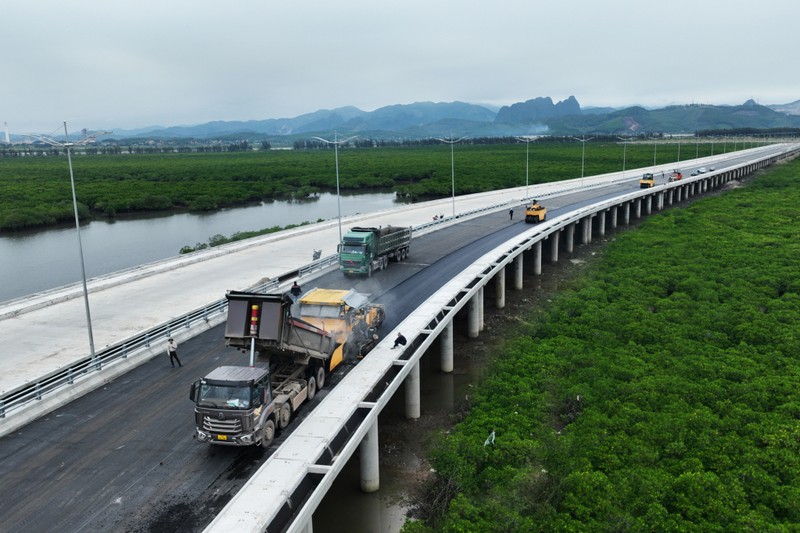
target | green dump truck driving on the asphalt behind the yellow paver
x=365, y=250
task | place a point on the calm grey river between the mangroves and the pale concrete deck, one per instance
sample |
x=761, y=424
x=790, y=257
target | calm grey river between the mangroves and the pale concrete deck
x=35, y=261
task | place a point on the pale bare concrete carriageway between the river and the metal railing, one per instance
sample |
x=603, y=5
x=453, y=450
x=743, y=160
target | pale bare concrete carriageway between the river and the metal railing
x=45, y=332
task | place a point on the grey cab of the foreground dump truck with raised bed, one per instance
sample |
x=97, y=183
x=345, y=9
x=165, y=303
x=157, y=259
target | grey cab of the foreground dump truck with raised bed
x=233, y=406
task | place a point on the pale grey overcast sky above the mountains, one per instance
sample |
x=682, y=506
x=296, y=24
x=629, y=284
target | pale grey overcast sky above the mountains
x=129, y=64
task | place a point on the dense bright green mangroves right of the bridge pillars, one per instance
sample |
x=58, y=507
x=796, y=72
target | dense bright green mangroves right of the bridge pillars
x=659, y=392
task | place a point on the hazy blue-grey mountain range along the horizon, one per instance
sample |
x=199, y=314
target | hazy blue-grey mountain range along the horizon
x=539, y=116
